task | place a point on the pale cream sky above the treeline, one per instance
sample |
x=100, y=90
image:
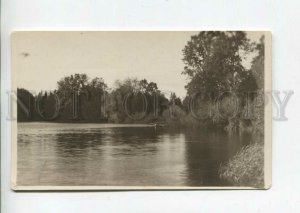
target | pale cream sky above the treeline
x=40, y=59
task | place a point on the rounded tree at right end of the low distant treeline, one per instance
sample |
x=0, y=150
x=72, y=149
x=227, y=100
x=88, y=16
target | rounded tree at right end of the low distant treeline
x=135, y=97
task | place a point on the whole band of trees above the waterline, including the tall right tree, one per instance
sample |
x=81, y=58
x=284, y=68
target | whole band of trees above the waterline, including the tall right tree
x=213, y=65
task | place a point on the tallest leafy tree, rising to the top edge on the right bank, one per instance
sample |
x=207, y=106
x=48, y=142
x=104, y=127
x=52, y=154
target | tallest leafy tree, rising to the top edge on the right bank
x=213, y=64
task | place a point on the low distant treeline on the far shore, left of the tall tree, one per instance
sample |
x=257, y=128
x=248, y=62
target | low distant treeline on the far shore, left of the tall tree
x=79, y=99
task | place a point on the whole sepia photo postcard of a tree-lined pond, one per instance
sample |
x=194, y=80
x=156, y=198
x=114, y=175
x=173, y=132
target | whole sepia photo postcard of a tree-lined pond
x=141, y=110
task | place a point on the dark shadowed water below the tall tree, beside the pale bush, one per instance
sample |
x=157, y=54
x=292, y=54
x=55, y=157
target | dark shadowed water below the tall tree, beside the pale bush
x=206, y=151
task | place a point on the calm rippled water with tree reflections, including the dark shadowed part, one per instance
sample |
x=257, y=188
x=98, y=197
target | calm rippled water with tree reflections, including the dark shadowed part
x=121, y=155
